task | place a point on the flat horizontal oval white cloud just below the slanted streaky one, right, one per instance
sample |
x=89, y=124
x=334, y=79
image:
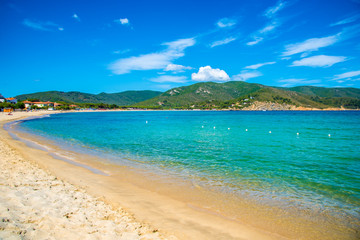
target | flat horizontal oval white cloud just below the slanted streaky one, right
x=319, y=61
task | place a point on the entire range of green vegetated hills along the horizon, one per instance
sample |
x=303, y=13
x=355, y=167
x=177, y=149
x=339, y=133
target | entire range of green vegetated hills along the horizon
x=208, y=95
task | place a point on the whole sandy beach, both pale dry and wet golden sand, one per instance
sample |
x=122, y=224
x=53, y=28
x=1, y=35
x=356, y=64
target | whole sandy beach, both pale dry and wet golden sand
x=47, y=198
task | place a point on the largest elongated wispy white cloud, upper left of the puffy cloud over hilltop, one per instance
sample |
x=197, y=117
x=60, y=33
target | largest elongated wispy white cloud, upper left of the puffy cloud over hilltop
x=151, y=61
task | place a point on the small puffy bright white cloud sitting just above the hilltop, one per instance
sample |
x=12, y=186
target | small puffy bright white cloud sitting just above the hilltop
x=210, y=74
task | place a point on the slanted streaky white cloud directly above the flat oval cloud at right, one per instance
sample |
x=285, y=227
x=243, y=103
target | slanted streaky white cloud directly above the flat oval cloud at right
x=310, y=45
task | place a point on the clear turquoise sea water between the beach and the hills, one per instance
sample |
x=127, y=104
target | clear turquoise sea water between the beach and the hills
x=310, y=160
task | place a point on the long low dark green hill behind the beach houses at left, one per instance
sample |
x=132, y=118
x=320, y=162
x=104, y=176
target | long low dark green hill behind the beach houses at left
x=121, y=99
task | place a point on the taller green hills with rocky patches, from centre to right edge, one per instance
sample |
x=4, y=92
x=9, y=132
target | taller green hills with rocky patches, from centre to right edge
x=224, y=95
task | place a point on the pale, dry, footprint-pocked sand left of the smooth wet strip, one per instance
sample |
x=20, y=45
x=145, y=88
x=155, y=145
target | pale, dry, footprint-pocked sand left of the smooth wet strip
x=34, y=204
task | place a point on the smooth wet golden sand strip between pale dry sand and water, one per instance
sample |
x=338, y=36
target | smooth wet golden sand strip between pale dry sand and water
x=170, y=217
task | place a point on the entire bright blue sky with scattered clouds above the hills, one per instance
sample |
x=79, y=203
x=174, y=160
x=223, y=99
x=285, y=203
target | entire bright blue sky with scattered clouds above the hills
x=118, y=45
